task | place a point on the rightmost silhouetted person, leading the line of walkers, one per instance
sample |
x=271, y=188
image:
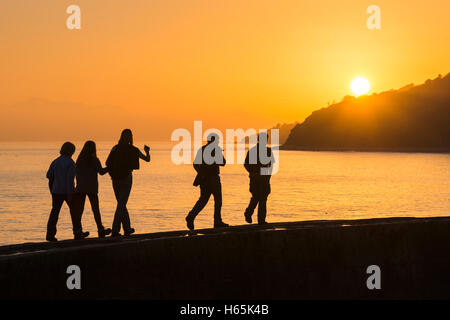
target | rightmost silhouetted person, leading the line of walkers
x=258, y=163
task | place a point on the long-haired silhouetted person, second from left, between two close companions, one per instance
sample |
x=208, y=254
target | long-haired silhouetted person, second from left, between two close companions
x=88, y=166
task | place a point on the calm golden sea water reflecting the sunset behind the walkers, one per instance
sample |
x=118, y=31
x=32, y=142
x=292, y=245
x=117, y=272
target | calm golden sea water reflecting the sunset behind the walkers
x=308, y=186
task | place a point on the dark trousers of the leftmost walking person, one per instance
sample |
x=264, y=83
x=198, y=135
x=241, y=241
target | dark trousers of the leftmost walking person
x=57, y=202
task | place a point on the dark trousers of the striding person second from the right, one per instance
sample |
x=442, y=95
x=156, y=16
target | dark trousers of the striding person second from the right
x=209, y=186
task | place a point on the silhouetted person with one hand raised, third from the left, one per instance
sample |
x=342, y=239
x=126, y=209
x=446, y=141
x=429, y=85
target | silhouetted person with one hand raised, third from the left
x=122, y=160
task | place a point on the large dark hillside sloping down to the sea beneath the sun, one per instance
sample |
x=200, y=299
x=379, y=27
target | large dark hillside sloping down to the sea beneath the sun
x=413, y=118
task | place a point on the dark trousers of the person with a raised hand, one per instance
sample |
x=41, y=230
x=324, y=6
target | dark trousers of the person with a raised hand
x=122, y=189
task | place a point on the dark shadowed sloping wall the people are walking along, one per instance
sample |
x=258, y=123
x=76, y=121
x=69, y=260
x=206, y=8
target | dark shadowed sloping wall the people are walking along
x=296, y=260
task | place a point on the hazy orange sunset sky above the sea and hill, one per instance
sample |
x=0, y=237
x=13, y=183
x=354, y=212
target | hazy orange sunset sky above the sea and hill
x=158, y=65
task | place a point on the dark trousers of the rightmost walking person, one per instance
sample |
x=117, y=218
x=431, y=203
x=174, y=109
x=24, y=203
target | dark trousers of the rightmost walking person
x=260, y=190
